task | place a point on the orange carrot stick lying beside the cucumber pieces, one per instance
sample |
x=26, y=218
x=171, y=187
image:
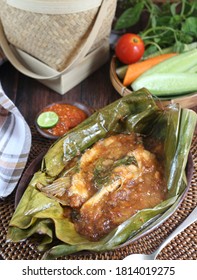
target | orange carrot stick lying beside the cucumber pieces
x=136, y=69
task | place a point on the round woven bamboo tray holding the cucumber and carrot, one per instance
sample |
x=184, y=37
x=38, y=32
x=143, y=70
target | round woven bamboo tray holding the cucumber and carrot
x=188, y=101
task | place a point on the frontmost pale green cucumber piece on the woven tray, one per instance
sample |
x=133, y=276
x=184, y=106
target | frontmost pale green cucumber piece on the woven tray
x=163, y=84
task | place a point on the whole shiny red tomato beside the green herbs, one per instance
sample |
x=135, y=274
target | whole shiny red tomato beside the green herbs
x=129, y=48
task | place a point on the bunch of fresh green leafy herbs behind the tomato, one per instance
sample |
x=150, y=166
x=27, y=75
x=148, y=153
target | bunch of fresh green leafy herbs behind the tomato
x=169, y=24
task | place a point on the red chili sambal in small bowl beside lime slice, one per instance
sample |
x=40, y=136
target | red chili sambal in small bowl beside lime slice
x=69, y=117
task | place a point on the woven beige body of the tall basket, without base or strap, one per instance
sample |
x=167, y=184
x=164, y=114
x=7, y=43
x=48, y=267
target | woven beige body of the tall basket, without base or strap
x=54, y=39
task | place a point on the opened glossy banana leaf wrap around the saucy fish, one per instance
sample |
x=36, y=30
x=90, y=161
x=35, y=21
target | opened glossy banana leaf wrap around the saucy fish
x=37, y=214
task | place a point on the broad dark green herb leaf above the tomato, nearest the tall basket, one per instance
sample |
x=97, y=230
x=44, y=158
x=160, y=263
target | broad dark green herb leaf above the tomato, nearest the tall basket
x=129, y=17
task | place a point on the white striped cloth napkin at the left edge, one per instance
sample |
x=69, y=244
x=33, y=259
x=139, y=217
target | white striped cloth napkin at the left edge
x=15, y=143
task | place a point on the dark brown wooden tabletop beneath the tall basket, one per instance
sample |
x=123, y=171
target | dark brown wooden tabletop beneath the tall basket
x=31, y=96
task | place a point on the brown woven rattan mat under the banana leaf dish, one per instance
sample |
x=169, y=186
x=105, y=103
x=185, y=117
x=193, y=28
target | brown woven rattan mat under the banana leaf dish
x=182, y=247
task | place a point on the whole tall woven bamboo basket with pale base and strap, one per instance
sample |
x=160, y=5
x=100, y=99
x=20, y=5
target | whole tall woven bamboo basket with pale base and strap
x=57, y=38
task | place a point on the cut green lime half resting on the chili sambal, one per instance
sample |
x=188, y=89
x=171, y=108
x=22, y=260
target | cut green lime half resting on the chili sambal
x=47, y=119
